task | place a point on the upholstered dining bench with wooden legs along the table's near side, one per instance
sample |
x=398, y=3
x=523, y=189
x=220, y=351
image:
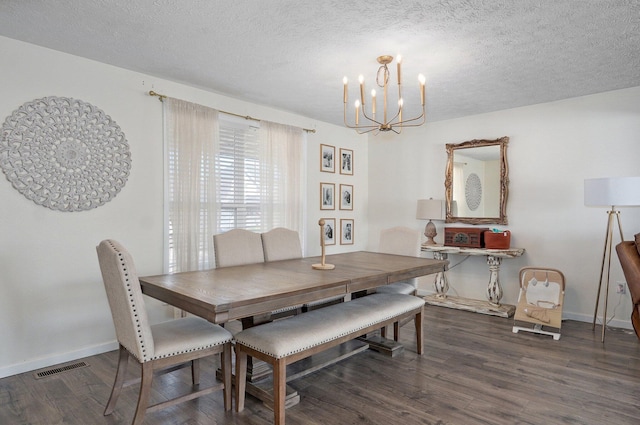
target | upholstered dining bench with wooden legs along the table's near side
x=286, y=341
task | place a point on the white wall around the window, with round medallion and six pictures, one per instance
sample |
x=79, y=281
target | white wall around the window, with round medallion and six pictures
x=52, y=303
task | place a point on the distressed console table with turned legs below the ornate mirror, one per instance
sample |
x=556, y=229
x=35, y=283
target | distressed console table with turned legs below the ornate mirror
x=494, y=291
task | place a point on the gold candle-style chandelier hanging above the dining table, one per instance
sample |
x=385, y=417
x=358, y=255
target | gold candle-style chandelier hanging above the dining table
x=384, y=123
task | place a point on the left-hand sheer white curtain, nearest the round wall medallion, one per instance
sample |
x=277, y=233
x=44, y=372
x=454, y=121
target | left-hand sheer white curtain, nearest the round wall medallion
x=192, y=139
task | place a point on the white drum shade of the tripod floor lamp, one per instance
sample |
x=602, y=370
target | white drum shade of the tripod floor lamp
x=612, y=191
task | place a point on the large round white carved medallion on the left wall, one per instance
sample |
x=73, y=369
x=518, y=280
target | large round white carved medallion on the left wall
x=64, y=154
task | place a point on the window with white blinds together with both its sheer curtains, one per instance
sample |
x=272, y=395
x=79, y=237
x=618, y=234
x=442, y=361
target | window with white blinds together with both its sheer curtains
x=212, y=173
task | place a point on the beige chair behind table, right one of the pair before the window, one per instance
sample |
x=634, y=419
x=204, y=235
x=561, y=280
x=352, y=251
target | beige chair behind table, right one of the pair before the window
x=284, y=244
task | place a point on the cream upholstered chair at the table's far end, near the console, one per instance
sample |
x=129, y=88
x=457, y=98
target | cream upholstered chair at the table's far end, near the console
x=399, y=240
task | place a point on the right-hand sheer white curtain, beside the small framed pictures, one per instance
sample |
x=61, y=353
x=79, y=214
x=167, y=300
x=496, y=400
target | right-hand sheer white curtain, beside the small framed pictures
x=281, y=189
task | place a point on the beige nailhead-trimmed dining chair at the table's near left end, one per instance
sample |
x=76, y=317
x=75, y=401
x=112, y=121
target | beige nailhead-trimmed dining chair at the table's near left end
x=156, y=347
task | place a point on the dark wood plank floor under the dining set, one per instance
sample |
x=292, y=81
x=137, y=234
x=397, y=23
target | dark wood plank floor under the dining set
x=474, y=371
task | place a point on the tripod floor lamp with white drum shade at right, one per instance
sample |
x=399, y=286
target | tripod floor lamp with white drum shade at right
x=613, y=192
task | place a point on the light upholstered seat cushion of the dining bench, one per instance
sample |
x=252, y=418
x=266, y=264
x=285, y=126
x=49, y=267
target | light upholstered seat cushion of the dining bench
x=283, y=338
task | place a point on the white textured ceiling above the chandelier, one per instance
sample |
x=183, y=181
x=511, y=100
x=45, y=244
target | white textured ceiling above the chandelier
x=478, y=56
